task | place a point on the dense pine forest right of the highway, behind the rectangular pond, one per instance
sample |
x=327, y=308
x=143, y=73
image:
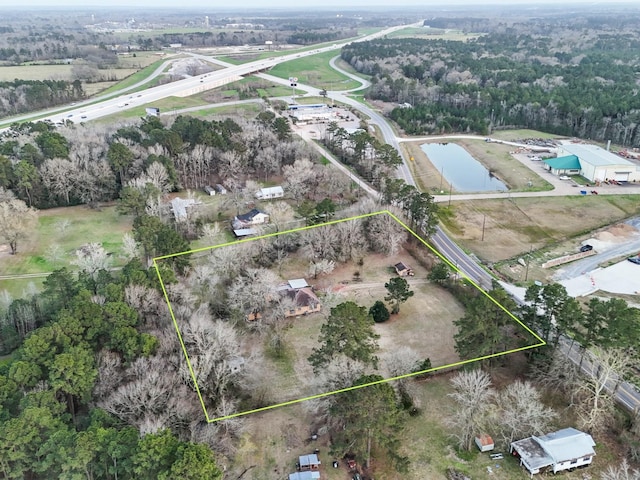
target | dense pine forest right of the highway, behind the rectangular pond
x=562, y=78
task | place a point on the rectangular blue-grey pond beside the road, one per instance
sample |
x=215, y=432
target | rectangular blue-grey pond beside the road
x=459, y=168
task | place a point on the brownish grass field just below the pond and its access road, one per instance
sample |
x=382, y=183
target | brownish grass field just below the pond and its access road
x=514, y=226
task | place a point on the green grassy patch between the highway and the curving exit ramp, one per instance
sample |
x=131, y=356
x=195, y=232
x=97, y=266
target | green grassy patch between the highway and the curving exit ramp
x=316, y=71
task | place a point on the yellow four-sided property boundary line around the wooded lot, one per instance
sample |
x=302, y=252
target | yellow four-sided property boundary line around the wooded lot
x=321, y=395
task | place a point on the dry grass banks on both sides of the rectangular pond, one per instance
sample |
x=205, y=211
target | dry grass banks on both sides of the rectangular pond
x=494, y=156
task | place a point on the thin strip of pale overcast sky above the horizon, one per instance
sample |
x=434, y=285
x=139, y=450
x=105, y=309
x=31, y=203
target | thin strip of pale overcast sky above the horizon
x=214, y=5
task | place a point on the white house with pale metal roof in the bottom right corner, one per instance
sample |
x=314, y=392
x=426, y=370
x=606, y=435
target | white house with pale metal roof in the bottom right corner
x=565, y=449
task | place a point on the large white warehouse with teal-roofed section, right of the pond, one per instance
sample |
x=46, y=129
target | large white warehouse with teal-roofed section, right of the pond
x=594, y=163
